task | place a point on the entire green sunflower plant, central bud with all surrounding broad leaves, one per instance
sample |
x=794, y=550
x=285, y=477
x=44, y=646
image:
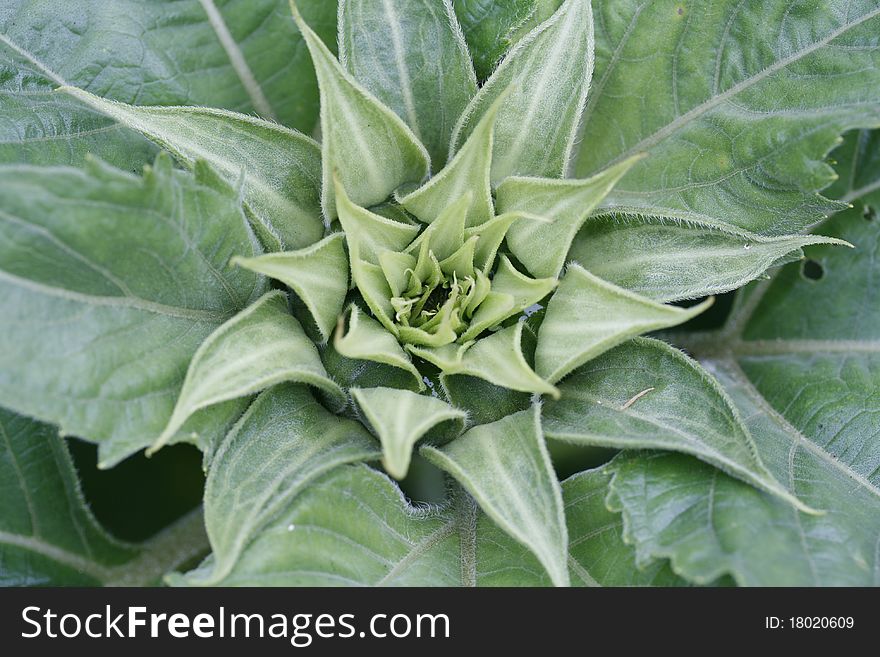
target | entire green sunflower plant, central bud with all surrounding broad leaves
x=412, y=281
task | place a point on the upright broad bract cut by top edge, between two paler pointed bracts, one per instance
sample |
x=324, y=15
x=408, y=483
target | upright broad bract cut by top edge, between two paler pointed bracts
x=409, y=54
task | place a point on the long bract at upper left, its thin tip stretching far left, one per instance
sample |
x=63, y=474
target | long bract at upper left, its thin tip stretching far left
x=280, y=169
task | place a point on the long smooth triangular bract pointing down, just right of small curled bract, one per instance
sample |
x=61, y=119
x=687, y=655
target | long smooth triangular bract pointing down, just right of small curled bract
x=505, y=466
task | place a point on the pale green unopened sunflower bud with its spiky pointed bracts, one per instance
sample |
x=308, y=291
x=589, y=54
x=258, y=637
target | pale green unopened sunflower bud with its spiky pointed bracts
x=446, y=217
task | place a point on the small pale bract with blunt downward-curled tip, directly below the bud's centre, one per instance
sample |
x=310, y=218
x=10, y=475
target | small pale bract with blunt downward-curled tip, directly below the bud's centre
x=400, y=418
